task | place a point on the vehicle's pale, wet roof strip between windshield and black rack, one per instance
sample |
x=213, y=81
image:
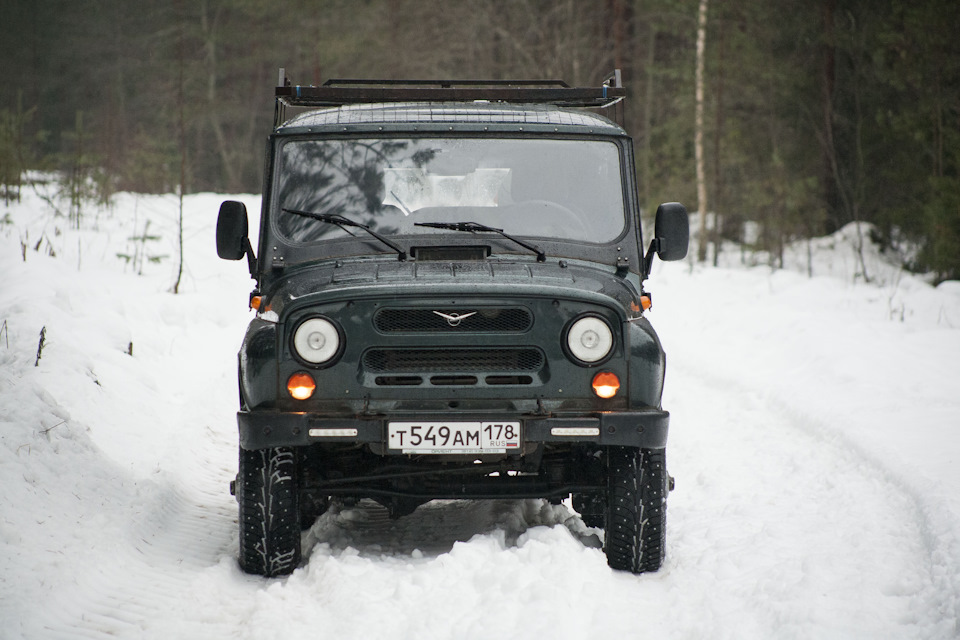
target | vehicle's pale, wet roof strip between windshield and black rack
x=469, y=114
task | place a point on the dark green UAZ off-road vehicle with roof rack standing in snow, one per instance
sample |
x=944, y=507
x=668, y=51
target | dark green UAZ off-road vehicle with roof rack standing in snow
x=450, y=305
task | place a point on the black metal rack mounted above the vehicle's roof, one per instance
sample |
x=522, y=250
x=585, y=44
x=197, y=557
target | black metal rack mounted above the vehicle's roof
x=339, y=92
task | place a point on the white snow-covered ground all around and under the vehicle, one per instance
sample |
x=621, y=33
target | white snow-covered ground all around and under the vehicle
x=814, y=441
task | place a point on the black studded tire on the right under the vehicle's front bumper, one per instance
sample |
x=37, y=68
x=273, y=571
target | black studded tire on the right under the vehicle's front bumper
x=636, y=514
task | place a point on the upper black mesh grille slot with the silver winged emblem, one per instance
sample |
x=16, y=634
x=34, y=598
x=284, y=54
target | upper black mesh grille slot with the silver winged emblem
x=465, y=320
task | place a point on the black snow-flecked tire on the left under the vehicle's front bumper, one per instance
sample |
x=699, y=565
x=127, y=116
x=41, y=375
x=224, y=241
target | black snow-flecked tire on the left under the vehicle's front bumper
x=269, y=511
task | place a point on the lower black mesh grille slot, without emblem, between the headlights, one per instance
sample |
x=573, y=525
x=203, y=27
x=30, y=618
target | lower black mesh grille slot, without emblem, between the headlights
x=498, y=360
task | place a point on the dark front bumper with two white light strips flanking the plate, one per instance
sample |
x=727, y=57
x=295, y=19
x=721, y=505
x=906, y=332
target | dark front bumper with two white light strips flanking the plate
x=261, y=429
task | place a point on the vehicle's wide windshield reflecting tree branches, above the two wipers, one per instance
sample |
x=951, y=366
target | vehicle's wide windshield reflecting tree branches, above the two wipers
x=562, y=189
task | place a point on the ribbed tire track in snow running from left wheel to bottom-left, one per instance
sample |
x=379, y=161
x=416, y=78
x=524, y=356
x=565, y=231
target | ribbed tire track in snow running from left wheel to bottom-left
x=135, y=585
